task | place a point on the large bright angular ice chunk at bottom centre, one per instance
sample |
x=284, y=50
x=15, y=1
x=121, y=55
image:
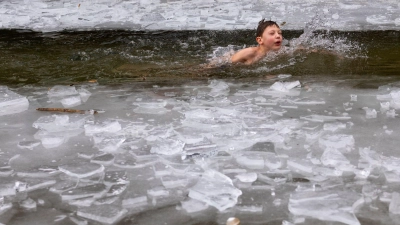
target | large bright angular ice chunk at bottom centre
x=216, y=190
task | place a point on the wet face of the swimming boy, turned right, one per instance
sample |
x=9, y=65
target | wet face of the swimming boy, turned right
x=271, y=38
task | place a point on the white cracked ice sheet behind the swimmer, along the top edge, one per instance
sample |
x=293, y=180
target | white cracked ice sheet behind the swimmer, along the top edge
x=57, y=15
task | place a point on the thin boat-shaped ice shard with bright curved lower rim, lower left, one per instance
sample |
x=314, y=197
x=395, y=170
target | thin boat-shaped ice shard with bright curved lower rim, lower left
x=81, y=170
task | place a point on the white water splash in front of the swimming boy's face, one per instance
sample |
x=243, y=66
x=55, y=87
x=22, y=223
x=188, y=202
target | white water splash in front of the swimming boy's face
x=317, y=39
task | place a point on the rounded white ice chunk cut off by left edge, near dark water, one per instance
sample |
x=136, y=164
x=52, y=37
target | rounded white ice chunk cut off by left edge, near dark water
x=11, y=102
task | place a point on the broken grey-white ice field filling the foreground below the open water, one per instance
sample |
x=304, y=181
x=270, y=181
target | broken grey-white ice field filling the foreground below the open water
x=210, y=150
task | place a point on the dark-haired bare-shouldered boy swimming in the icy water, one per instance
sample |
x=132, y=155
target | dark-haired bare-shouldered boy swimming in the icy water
x=268, y=37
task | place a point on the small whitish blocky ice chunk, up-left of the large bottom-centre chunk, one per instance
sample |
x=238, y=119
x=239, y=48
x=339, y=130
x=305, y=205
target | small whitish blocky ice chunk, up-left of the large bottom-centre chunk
x=164, y=146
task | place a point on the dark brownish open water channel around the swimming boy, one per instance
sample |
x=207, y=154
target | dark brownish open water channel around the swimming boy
x=121, y=56
